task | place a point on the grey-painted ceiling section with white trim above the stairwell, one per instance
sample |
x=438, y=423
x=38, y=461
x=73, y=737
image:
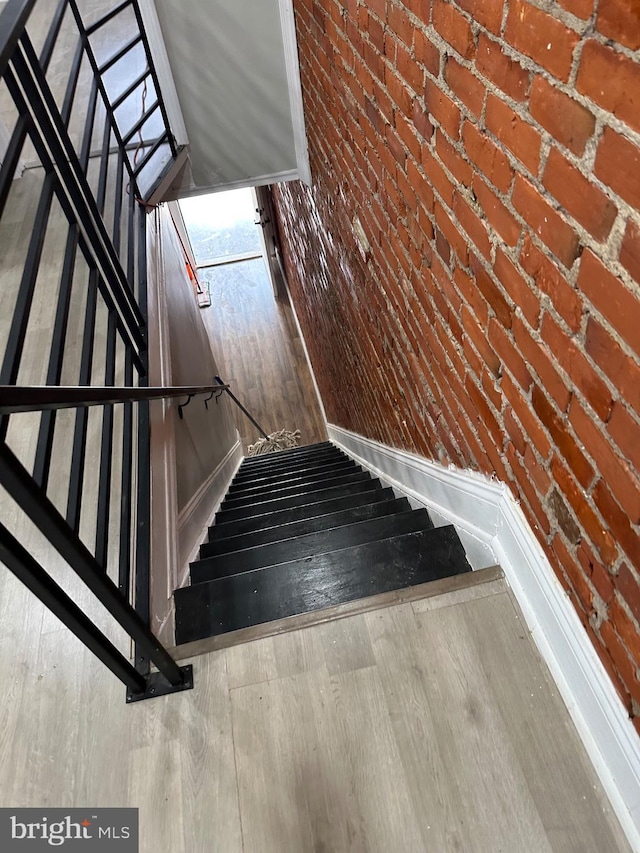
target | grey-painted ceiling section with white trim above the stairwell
x=237, y=87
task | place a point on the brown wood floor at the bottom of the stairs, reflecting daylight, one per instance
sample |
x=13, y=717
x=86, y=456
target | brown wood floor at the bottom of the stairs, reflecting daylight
x=256, y=344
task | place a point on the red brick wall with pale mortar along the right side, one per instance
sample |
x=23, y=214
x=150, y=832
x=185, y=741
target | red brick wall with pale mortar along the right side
x=491, y=151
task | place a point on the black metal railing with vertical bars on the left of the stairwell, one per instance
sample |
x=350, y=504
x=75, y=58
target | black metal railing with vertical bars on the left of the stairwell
x=84, y=152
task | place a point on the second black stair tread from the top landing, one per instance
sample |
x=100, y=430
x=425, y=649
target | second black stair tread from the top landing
x=310, y=545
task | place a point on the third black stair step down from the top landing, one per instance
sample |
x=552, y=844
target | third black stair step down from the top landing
x=300, y=528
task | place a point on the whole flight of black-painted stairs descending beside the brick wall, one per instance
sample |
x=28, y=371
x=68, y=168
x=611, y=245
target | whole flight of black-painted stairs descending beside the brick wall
x=304, y=530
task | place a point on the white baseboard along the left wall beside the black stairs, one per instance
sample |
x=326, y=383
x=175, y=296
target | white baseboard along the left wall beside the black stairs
x=196, y=517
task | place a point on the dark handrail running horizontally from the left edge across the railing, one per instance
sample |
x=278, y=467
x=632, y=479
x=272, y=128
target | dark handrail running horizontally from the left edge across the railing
x=38, y=398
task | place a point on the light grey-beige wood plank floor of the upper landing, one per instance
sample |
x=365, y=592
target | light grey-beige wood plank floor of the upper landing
x=428, y=726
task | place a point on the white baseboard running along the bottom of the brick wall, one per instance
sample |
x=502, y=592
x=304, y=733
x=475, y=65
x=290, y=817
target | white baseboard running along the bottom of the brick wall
x=484, y=511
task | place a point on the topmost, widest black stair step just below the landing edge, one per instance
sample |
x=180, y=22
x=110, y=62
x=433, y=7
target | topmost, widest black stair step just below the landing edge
x=263, y=595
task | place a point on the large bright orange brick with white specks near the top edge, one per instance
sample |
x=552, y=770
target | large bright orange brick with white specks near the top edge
x=542, y=37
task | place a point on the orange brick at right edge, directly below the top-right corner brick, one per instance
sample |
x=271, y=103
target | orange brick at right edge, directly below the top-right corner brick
x=612, y=81
